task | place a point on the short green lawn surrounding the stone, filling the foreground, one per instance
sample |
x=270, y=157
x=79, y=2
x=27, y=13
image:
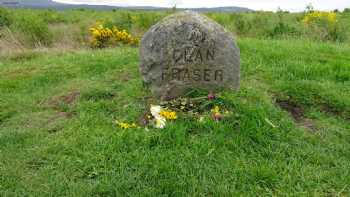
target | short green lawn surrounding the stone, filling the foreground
x=57, y=136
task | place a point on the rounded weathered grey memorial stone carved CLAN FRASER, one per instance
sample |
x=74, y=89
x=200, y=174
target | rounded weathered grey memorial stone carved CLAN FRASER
x=186, y=51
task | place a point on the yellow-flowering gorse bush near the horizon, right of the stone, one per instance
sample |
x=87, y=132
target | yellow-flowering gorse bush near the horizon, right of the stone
x=316, y=17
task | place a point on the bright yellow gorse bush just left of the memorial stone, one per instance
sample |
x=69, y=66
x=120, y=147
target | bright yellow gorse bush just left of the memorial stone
x=101, y=36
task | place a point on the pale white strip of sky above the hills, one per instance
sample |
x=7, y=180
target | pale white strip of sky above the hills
x=268, y=5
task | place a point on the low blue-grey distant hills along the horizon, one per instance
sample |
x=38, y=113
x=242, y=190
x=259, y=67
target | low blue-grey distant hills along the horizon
x=54, y=5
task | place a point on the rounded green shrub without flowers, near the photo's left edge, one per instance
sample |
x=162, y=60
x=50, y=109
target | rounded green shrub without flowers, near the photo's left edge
x=34, y=30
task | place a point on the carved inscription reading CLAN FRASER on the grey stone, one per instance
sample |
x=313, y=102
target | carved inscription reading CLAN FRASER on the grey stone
x=196, y=53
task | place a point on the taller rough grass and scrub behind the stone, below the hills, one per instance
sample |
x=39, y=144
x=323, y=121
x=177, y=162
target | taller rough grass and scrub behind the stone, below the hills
x=28, y=28
